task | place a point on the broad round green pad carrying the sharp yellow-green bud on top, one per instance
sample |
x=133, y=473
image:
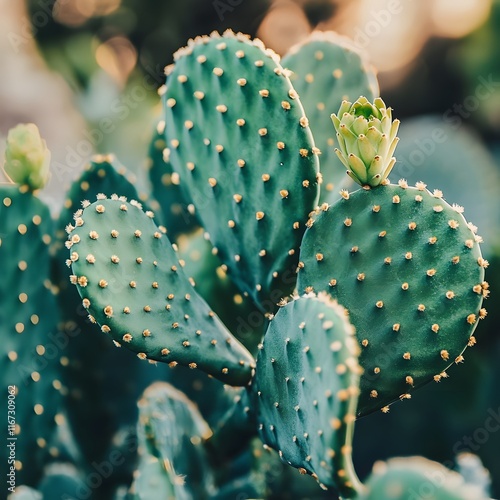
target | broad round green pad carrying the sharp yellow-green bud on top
x=408, y=268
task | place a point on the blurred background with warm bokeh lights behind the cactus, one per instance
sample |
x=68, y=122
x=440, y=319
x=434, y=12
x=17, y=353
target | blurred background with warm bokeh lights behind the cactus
x=87, y=73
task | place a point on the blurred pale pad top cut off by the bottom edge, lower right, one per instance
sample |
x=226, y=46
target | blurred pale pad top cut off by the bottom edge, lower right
x=415, y=478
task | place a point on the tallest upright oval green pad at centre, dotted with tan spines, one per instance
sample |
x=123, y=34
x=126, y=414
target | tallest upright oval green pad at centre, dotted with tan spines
x=240, y=144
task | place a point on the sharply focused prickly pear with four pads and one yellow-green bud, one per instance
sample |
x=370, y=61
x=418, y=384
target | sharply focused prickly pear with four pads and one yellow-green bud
x=403, y=262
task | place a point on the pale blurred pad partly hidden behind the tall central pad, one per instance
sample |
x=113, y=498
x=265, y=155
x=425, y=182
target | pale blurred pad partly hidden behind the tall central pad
x=328, y=69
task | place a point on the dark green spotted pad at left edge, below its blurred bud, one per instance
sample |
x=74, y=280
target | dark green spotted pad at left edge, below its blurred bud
x=29, y=336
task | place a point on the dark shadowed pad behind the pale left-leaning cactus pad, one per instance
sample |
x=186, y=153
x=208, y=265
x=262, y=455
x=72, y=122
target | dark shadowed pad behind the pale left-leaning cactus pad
x=92, y=361
